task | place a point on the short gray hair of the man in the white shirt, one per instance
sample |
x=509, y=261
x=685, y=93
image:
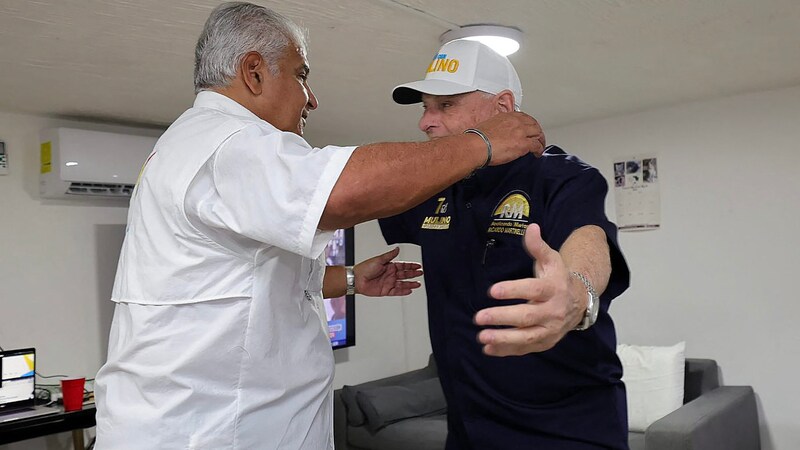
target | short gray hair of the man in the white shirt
x=234, y=29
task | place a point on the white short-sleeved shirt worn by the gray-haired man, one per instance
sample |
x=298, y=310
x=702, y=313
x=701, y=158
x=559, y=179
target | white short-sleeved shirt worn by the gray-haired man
x=216, y=341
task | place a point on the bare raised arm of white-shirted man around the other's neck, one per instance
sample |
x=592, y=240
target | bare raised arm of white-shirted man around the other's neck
x=385, y=179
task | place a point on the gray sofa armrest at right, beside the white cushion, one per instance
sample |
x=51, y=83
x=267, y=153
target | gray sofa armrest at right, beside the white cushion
x=722, y=419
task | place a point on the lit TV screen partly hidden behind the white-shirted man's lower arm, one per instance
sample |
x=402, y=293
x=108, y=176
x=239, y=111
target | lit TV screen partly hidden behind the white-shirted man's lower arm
x=340, y=311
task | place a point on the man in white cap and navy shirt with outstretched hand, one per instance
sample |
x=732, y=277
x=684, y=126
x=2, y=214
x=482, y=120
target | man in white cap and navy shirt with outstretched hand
x=565, y=390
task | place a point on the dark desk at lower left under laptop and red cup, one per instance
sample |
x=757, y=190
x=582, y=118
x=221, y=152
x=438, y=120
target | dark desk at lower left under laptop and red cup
x=74, y=421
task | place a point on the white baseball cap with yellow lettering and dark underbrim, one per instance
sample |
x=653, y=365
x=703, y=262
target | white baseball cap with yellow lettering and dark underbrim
x=459, y=67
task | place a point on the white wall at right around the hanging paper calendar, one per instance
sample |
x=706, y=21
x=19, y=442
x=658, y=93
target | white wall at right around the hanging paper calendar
x=721, y=273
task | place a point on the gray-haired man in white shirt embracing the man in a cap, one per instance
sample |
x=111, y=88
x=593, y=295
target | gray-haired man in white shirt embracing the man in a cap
x=216, y=340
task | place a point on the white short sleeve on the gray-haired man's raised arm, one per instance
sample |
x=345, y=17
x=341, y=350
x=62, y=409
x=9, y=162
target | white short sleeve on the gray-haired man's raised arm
x=273, y=187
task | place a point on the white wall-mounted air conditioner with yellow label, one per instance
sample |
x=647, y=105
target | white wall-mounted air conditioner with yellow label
x=81, y=163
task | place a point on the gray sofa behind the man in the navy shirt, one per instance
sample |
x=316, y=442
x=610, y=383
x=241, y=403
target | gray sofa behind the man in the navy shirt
x=407, y=411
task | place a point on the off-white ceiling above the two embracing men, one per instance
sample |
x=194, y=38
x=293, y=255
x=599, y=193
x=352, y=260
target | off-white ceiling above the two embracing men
x=131, y=61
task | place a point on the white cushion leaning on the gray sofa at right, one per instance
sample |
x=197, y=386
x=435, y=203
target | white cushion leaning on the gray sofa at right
x=653, y=379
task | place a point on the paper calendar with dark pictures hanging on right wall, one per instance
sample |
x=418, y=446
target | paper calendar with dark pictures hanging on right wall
x=636, y=193
